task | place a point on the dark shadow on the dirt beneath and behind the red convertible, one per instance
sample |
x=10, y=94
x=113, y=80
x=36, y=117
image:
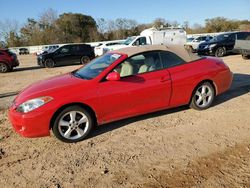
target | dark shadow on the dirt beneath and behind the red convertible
x=240, y=86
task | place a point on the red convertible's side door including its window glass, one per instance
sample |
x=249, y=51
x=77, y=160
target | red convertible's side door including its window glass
x=144, y=87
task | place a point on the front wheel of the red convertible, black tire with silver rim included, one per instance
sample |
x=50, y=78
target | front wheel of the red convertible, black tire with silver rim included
x=67, y=128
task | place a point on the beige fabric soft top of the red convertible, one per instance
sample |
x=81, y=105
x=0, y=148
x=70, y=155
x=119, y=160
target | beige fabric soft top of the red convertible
x=178, y=50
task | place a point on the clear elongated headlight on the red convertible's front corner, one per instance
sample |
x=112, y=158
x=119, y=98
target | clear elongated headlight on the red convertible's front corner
x=33, y=104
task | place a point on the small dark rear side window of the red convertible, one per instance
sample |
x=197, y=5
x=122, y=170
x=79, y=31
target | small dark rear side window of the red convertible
x=169, y=59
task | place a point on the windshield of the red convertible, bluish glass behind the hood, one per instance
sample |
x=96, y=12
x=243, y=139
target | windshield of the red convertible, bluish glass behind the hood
x=95, y=67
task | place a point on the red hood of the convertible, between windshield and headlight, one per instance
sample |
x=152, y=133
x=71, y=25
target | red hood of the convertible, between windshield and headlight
x=59, y=85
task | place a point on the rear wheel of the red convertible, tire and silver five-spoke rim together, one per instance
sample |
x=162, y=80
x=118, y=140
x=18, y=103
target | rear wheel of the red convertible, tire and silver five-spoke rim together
x=203, y=96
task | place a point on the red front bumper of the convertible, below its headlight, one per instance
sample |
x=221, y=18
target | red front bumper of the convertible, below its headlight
x=32, y=124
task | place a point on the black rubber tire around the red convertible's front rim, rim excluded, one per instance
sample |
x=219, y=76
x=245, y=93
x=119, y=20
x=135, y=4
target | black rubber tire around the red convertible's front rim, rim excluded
x=66, y=110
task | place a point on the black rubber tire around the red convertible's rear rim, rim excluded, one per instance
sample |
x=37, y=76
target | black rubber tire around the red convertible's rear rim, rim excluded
x=193, y=102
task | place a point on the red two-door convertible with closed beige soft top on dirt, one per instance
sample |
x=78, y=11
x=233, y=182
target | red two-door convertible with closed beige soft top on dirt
x=118, y=85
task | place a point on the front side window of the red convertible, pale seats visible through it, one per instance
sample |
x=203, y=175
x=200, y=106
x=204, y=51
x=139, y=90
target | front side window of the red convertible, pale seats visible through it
x=138, y=64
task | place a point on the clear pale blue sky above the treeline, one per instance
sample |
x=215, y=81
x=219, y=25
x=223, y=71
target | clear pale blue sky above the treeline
x=143, y=11
